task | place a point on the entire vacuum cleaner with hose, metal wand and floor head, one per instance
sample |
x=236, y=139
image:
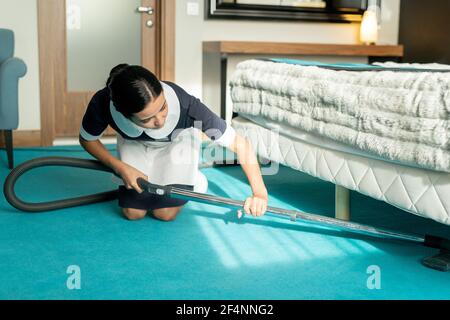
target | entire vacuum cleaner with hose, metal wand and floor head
x=440, y=261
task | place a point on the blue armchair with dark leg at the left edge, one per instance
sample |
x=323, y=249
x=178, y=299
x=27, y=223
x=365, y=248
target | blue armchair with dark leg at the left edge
x=11, y=69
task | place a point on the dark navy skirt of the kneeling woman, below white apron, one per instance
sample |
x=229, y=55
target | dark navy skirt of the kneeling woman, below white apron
x=130, y=198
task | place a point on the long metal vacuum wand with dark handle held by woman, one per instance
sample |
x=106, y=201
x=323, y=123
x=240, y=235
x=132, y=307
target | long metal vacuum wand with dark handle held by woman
x=431, y=241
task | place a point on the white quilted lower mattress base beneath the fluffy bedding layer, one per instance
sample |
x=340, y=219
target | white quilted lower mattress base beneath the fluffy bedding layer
x=418, y=191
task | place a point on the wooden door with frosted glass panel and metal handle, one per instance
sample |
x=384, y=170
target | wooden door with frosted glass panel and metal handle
x=81, y=40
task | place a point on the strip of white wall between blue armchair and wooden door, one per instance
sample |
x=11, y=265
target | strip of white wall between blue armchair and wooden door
x=21, y=17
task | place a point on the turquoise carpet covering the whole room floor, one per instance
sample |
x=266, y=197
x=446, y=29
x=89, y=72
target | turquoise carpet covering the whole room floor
x=207, y=253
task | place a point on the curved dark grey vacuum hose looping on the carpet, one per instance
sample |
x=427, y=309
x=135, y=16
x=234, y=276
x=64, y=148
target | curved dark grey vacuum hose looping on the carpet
x=11, y=197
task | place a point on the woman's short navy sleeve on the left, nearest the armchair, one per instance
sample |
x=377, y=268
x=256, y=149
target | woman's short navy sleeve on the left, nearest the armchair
x=95, y=119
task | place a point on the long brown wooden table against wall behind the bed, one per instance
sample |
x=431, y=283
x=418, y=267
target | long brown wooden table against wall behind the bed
x=216, y=53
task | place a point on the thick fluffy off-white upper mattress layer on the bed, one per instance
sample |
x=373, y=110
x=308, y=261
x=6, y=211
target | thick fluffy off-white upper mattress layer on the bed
x=398, y=114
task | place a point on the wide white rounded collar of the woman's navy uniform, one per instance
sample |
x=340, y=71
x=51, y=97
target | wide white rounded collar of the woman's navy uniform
x=133, y=130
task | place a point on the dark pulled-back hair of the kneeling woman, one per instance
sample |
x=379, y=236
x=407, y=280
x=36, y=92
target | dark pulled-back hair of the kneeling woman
x=131, y=88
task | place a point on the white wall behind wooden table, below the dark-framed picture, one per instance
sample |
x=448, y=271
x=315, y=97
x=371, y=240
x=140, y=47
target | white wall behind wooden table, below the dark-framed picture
x=192, y=30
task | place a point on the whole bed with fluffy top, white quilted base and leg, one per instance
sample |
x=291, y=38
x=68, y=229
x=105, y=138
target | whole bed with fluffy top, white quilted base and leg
x=381, y=130
